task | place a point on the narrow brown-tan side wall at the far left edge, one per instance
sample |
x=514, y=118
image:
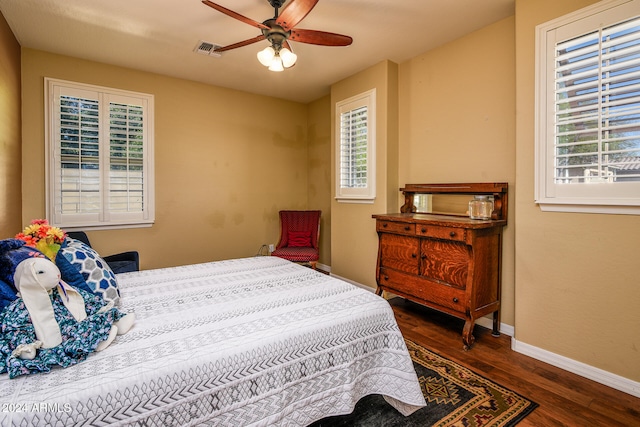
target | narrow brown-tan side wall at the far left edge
x=10, y=133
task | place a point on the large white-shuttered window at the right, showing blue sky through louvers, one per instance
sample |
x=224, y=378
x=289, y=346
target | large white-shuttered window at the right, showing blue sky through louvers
x=588, y=122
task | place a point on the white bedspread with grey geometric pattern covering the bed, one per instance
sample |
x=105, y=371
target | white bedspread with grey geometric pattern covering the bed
x=254, y=341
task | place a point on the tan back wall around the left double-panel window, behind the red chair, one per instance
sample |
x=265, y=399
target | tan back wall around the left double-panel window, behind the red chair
x=226, y=162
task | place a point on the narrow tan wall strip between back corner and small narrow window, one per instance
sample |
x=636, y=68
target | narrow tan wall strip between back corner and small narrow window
x=319, y=173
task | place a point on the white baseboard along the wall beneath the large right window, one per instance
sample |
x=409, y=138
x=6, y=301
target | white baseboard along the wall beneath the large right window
x=587, y=371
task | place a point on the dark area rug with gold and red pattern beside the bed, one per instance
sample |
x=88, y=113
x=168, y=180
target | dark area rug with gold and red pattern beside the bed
x=455, y=395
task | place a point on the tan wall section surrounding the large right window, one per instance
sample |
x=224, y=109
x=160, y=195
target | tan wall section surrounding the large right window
x=577, y=282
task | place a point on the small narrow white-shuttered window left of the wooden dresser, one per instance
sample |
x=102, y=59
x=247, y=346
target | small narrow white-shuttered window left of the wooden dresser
x=355, y=149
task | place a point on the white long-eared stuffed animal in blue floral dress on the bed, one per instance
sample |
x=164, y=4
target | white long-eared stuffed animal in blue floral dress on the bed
x=53, y=324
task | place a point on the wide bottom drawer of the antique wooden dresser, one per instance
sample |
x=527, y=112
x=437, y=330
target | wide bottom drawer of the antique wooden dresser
x=424, y=289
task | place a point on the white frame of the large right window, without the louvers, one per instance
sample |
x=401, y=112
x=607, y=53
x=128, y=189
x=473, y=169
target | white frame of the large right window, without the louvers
x=608, y=198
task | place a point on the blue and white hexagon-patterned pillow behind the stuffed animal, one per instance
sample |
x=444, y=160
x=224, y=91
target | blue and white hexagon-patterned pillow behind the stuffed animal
x=96, y=272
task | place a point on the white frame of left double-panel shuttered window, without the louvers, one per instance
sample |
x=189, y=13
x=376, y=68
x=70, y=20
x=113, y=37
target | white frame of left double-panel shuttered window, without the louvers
x=103, y=217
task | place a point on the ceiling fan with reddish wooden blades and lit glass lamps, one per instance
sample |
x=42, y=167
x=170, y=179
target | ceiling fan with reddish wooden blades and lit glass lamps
x=279, y=30
